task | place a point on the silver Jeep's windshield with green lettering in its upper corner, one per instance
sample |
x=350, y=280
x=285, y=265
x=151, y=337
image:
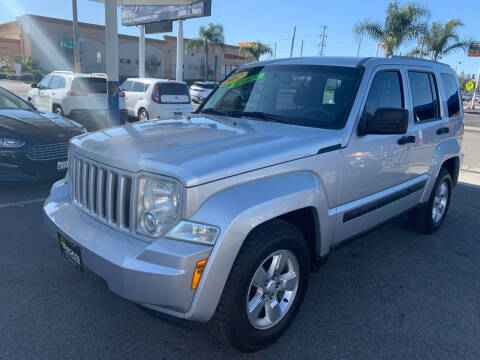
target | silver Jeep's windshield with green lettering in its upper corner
x=306, y=95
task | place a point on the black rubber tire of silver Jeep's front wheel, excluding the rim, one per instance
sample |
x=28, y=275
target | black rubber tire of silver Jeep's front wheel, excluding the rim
x=243, y=335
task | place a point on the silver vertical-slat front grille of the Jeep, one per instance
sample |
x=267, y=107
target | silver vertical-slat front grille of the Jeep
x=103, y=192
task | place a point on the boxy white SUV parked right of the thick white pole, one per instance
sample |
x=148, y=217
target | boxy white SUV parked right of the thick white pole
x=156, y=98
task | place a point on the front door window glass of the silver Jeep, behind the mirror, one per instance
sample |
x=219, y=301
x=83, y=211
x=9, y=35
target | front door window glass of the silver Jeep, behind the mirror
x=385, y=92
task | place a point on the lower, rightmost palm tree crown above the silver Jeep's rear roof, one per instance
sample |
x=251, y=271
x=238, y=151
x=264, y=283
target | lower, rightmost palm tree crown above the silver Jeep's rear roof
x=440, y=39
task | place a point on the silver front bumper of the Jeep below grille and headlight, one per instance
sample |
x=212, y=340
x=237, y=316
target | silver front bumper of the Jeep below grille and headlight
x=157, y=275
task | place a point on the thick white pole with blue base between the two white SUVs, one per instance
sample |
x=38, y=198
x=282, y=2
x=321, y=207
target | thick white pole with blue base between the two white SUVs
x=111, y=56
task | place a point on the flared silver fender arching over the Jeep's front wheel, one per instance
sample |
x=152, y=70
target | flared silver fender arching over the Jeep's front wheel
x=240, y=209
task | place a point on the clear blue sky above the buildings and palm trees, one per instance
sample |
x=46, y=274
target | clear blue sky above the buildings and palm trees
x=270, y=21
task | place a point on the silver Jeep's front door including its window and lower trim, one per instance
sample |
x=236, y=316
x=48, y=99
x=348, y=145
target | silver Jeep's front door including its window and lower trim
x=374, y=166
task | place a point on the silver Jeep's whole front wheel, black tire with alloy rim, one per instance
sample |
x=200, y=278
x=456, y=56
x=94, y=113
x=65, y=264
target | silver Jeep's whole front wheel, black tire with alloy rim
x=265, y=243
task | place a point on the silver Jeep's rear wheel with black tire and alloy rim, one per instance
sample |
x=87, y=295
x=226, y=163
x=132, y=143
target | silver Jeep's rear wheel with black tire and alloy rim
x=427, y=218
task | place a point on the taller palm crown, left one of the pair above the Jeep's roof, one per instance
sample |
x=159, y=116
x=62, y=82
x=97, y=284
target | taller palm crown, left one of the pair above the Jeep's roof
x=401, y=24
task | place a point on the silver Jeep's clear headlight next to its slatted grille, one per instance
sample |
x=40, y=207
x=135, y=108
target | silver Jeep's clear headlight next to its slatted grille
x=158, y=207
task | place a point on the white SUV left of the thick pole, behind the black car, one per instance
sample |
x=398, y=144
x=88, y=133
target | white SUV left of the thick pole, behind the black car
x=82, y=97
